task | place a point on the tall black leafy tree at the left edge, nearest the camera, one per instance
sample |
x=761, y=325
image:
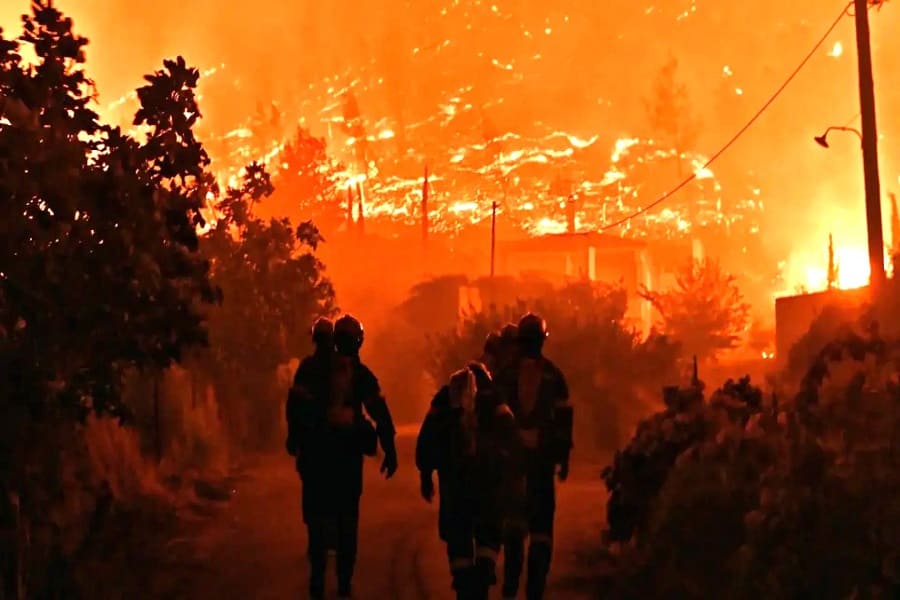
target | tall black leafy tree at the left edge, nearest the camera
x=100, y=271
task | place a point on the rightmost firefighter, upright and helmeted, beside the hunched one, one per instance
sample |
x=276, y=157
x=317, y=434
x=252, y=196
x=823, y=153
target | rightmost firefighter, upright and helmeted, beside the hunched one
x=536, y=391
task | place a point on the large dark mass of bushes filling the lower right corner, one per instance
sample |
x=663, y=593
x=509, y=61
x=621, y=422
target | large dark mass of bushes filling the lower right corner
x=797, y=500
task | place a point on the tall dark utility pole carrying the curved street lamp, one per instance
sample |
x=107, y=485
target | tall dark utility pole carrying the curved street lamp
x=870, y=146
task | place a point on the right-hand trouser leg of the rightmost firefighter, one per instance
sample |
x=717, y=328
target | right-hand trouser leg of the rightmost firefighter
x=542, y=494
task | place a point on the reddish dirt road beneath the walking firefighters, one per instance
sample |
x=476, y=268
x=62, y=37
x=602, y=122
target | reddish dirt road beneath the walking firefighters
x=254, y=547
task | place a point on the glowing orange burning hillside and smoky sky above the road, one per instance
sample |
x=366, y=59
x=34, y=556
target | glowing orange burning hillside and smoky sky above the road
x=533, y=107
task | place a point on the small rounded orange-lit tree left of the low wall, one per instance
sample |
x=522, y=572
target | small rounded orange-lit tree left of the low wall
x=705, y=311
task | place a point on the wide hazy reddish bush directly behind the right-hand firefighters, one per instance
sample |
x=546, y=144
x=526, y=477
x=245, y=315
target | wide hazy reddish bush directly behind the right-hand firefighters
x=608, y=367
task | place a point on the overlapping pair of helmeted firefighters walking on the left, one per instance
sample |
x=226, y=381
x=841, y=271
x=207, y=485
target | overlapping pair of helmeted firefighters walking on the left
x=330, y=433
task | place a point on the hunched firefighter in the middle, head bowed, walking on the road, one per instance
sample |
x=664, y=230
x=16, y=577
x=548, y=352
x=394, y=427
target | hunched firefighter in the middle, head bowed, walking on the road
x=470, y=439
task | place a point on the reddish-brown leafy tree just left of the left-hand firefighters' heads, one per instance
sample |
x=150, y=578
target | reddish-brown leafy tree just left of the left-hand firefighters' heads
x=274, y=287
